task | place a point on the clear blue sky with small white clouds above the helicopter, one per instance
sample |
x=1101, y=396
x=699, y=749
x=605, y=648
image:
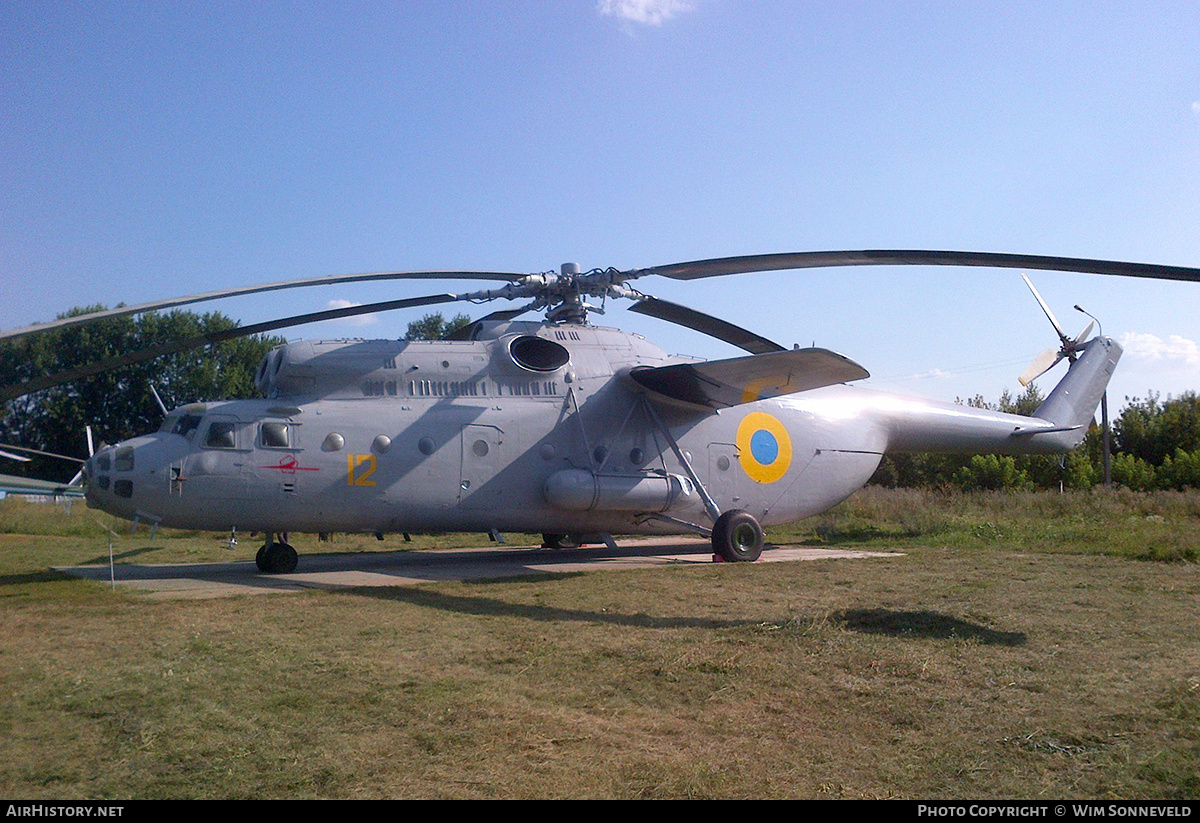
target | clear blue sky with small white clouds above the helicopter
x=157, y=149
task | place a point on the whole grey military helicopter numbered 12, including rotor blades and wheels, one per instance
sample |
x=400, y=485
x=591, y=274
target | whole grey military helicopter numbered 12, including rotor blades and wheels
x=559, y=426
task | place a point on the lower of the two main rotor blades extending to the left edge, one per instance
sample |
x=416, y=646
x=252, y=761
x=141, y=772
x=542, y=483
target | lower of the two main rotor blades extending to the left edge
x=141, y=356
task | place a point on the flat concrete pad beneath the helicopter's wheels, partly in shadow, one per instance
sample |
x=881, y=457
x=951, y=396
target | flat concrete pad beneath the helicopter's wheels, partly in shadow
x=391, y=569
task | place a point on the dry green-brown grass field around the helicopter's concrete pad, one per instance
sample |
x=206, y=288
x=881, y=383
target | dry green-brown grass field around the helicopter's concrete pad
x=1029, y=646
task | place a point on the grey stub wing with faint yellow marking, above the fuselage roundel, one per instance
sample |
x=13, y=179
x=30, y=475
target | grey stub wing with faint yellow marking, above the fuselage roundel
x=719, y=385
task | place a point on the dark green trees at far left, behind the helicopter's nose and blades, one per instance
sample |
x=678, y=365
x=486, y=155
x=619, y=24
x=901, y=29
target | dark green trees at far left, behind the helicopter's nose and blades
x=118, y=404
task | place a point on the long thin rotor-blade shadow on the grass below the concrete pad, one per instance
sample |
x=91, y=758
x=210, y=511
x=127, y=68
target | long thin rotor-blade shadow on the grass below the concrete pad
x=490, y=606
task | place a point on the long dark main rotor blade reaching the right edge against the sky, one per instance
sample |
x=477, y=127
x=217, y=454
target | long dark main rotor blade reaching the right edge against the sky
x=737, y=266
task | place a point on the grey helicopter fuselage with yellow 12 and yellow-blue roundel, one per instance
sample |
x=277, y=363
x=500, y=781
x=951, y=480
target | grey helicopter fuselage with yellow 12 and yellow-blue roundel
x=530, y=428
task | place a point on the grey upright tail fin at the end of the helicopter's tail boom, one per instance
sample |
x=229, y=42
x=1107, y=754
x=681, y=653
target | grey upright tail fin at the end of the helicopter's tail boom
x=1072, y=406
